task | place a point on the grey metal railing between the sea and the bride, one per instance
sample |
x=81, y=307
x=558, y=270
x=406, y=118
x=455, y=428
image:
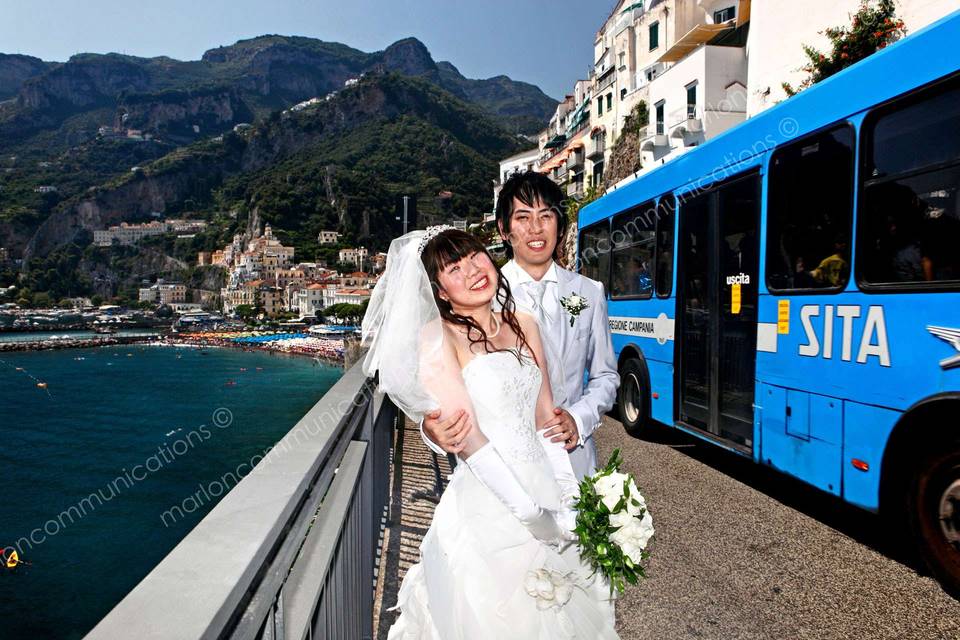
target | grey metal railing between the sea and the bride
x=289, y=552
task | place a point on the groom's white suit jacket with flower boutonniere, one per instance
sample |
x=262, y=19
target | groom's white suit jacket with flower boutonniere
x=589, y=368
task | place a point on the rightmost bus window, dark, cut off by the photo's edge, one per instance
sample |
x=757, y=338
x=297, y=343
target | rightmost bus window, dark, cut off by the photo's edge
x=909, y=227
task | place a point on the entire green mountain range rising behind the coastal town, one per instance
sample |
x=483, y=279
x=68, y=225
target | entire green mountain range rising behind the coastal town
x=121, y=137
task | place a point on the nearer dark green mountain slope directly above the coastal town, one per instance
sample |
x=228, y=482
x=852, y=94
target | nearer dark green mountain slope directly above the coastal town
x=340, y=163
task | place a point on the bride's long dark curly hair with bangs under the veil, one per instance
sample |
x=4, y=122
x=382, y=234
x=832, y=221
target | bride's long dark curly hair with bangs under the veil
x=452, y=246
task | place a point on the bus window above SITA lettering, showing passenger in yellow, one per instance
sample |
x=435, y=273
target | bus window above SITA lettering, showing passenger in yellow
x=809, y=212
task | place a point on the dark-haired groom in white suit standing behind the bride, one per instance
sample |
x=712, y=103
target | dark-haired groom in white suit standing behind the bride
x=532, y=224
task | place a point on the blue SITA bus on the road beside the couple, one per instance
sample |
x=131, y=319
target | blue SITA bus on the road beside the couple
x=790, y=290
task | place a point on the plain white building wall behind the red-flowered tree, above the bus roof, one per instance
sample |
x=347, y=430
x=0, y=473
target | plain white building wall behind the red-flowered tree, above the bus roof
x=778, y=31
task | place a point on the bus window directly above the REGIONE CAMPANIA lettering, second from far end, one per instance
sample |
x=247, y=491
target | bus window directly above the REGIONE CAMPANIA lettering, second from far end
x=633, y=243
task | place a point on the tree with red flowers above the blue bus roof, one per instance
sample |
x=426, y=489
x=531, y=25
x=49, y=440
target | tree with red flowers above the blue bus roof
x=871, y=29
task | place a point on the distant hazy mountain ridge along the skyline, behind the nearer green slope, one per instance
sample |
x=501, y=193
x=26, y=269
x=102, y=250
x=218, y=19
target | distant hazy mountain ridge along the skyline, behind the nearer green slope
x=187, y=100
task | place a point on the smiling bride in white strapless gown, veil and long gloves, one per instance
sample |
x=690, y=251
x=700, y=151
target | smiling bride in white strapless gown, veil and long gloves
x=498, y=560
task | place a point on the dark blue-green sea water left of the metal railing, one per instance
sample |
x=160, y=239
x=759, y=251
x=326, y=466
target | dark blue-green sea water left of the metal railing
x=166, y=419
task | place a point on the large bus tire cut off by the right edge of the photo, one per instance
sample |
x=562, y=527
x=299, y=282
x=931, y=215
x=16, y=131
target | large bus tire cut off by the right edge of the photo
x=933, y=504
